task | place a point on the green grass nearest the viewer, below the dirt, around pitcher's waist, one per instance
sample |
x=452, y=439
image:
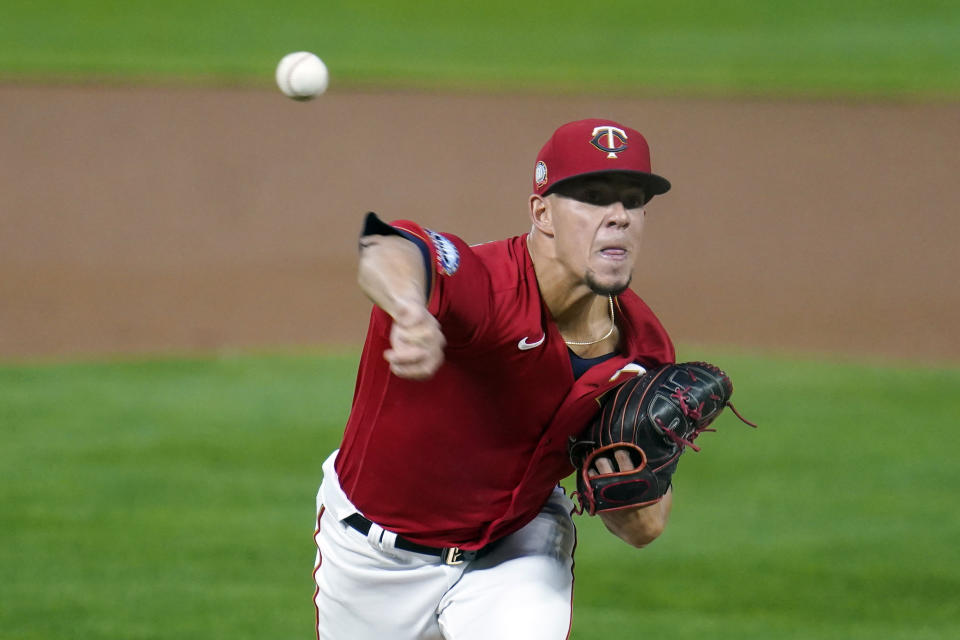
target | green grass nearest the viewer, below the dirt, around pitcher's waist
x=174, y=499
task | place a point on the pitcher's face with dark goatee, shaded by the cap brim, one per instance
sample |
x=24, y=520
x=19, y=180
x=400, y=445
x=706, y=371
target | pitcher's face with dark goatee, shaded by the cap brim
x=598, y=224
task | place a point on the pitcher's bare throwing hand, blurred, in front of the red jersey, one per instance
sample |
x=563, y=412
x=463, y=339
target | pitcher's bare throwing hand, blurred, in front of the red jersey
x=416, y=342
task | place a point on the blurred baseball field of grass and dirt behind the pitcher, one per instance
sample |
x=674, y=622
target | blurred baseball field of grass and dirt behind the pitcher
x=180, y=329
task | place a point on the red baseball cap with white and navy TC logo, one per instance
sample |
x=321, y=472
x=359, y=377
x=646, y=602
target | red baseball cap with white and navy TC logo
x=594, y=146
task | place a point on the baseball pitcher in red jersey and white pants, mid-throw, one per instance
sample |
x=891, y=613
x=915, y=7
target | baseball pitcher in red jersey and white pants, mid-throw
x=480, y=387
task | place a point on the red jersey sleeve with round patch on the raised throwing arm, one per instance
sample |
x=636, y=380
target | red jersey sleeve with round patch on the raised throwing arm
x=458, y=283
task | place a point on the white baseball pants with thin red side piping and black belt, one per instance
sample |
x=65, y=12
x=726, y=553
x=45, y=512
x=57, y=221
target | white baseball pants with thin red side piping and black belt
x=368, y=590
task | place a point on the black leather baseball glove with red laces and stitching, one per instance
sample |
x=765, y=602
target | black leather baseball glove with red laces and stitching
x=652, y=418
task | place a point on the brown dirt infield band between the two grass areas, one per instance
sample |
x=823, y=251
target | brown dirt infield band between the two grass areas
x=156, y=220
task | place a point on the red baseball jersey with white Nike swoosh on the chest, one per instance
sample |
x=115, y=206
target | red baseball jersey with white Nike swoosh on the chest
x=471, y=454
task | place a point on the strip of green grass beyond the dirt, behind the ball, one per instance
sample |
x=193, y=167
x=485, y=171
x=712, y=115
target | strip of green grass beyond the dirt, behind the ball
x=814, y=48
